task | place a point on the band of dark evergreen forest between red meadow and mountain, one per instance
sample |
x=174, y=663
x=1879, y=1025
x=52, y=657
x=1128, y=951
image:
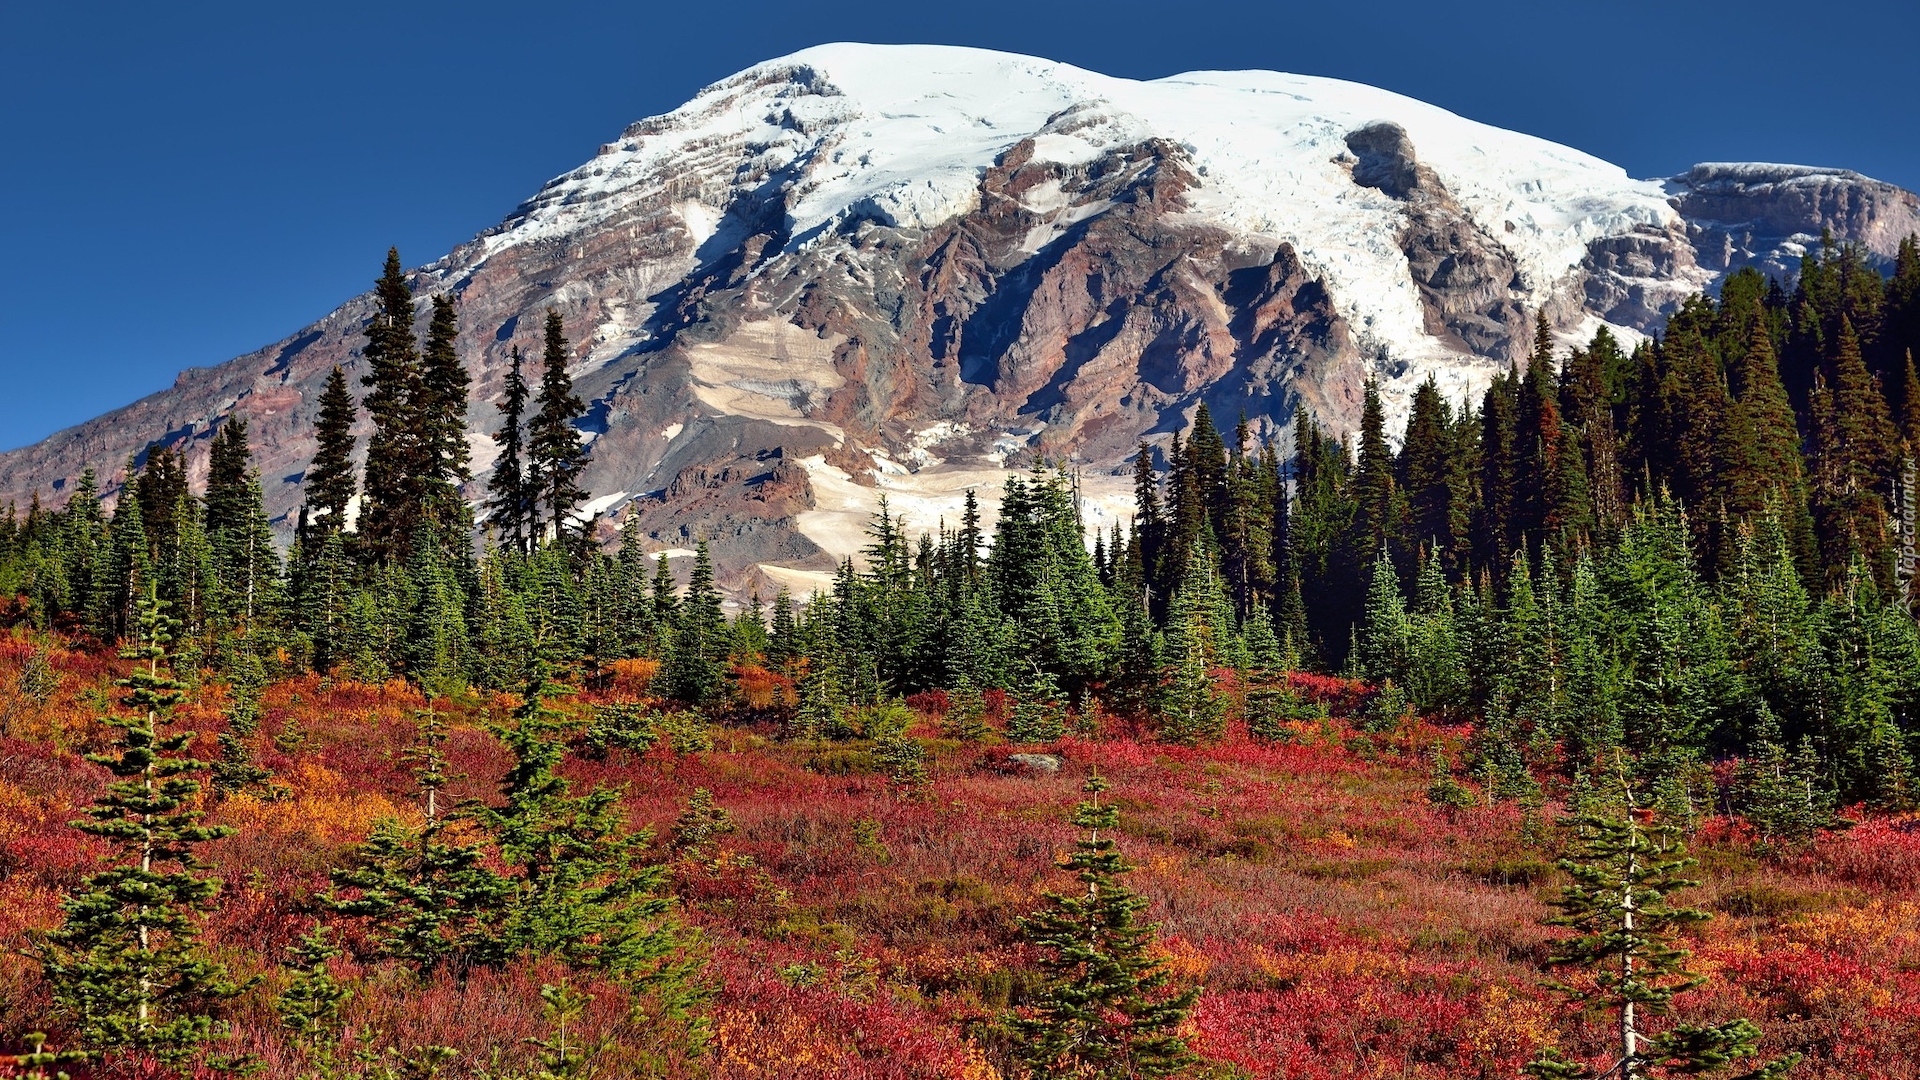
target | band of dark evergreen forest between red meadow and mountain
x=1683, y=551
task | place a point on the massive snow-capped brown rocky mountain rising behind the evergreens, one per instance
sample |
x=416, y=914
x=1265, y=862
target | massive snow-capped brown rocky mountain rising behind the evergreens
x=900, y=270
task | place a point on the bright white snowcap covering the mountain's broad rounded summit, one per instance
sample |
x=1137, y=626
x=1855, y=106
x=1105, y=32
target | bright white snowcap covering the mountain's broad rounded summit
x=901, y=135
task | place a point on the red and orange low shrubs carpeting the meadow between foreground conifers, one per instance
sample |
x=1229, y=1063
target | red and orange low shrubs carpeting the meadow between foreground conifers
x=1335, y=920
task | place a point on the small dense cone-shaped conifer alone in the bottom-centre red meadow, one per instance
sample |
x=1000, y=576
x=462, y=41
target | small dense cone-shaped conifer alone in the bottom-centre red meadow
x=1107, y=1008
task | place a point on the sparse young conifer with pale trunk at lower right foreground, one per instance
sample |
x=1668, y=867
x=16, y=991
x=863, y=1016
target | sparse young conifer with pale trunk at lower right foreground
x=1633, y=966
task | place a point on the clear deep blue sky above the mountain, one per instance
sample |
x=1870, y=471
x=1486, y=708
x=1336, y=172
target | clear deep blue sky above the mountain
x=183, y=184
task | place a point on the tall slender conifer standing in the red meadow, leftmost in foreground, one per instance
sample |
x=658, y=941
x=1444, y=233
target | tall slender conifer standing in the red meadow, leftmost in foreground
x=126, y=964
